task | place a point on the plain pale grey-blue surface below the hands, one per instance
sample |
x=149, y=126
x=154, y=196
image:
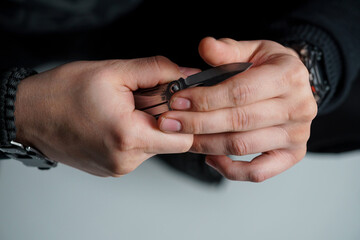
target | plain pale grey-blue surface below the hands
x=316, y=199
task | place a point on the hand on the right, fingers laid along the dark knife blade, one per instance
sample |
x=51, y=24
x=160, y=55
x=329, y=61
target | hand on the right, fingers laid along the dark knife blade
x=268, y=109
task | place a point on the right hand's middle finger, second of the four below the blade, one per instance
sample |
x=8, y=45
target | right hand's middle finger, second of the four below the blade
x=267, y=113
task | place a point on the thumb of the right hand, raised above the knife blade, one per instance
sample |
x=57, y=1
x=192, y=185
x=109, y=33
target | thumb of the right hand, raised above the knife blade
x=226, y=50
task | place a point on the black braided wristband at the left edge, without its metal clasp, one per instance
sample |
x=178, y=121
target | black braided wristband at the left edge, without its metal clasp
x=9, y=82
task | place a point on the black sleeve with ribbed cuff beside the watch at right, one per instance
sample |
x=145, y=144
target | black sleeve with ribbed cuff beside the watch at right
x=334, y=26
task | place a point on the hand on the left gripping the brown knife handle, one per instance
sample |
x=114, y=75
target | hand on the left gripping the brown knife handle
x=82, y=114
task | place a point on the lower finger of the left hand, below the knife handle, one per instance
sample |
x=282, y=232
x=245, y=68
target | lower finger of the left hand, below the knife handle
x=149, y=138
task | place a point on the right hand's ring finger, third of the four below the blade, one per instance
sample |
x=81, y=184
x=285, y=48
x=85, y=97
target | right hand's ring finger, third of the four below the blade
x=243, y=143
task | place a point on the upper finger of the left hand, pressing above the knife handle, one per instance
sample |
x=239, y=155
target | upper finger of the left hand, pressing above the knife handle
x=151, y=71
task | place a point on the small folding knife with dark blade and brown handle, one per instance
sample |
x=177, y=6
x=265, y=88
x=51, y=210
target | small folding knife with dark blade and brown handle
x=155, y=101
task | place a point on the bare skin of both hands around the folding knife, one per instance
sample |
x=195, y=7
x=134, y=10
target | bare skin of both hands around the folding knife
x=82, y=114
